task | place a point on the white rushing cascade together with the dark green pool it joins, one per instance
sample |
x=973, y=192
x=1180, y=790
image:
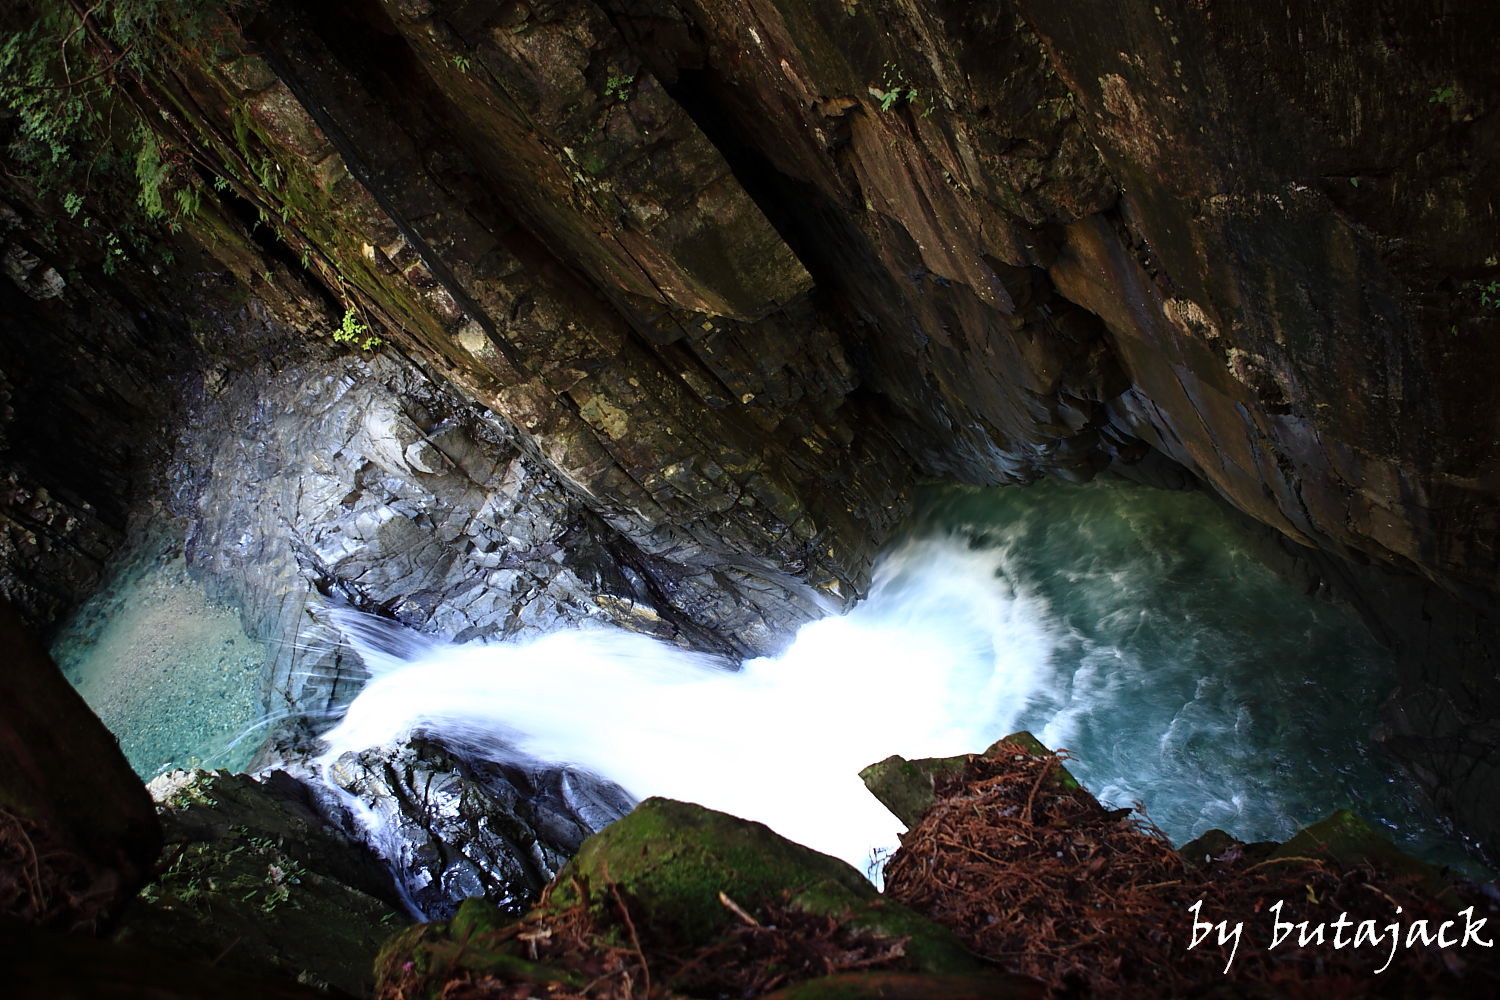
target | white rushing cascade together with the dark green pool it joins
x=1126, y=624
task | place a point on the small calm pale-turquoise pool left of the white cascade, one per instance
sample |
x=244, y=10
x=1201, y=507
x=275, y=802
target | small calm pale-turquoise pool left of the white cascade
x=172, y=674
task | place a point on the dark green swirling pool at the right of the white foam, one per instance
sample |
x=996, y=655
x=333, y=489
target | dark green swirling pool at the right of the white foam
x=1186, y=675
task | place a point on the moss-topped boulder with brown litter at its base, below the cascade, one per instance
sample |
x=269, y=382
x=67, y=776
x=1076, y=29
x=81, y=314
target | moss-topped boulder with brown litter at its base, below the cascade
x=698, y=903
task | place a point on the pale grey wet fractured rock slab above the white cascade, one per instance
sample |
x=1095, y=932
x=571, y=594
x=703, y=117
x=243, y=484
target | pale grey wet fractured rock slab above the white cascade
x=356, y=479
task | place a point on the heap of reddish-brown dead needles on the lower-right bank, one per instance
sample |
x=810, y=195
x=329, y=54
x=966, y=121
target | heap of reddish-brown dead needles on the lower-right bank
x=1043, y=881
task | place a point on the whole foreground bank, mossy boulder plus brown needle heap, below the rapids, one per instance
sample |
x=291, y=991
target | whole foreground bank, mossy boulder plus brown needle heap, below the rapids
x=1027, y=887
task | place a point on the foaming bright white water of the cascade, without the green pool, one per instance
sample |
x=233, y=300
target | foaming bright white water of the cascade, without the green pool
x=940, y=660
